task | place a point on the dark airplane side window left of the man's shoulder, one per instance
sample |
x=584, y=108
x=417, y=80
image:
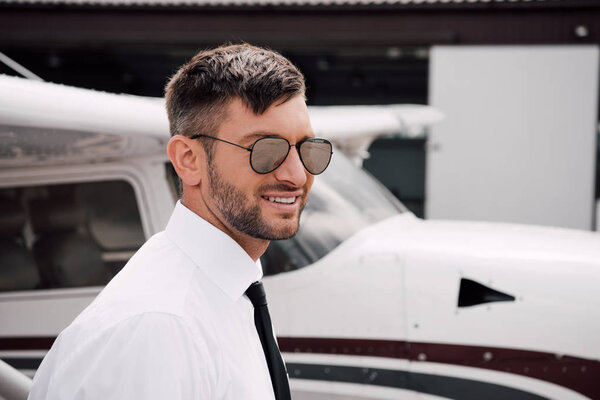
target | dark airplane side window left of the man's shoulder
x=72, y=235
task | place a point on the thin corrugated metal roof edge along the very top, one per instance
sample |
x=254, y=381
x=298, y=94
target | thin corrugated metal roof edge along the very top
x=253, y=3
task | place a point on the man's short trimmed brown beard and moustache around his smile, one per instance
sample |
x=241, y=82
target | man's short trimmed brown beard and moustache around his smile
x=246, y=217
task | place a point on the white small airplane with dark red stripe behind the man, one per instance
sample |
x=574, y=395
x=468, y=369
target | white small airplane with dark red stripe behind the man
x=369, y=302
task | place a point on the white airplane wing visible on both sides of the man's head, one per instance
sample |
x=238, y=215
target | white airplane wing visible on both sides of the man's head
x=47, y=123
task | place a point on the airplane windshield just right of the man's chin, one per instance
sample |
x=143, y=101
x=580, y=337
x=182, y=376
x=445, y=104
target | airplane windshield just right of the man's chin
x=343, y=200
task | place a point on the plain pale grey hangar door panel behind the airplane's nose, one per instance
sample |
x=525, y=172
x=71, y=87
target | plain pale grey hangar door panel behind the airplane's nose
x=519, y=140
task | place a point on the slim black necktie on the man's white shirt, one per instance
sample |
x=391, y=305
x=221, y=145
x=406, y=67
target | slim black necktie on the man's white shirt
x=262, y=320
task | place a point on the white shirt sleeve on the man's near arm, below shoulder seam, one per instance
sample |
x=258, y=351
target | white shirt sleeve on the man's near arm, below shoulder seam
x=150, y=356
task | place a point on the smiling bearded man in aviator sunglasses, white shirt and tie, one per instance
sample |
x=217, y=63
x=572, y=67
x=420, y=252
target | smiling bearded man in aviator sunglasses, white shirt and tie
x=175, y=323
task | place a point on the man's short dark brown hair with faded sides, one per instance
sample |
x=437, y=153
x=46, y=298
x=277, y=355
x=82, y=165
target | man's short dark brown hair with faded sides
x=200, y=90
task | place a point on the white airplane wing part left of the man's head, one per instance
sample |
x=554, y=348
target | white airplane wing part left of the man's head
x=47, y=124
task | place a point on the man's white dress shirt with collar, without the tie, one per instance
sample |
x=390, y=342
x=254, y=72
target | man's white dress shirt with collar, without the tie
x=173, y=324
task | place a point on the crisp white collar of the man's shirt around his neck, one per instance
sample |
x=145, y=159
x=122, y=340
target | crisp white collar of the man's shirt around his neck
x=219, y=256
